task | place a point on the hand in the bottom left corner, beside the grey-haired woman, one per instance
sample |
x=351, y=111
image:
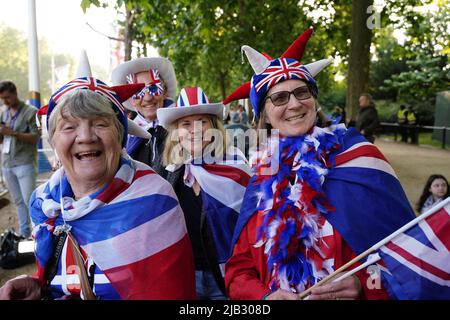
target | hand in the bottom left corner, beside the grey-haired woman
x=21, y=288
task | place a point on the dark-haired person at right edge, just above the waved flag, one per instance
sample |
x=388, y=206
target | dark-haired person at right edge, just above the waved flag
x=435, y=190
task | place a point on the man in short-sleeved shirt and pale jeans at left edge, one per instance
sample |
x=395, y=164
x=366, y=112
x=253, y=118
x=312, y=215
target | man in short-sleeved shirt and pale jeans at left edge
x=19, y=134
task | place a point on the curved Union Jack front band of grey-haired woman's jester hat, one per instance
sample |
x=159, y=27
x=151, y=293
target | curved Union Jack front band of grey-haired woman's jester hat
x=90, y=84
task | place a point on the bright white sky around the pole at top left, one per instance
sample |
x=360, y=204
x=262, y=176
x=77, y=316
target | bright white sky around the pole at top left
x=63, y=25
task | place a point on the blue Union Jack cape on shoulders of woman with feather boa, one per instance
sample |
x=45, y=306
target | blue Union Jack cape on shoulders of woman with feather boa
x=367, y=200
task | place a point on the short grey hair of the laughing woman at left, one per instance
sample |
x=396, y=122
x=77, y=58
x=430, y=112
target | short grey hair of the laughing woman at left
x=84, y=104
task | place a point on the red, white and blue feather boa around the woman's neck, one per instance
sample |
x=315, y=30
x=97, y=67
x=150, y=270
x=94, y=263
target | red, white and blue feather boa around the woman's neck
x=292, y=201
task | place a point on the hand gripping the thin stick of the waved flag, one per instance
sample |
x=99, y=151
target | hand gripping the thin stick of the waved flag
x=347, y=289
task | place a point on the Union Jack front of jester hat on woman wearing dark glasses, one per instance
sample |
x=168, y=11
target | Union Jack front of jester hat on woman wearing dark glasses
x=282, y=69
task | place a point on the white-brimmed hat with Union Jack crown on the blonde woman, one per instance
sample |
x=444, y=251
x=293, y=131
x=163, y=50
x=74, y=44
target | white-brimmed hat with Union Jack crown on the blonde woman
x=192, y=100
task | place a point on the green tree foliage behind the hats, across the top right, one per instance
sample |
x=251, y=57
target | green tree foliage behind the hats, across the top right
x=203, y=40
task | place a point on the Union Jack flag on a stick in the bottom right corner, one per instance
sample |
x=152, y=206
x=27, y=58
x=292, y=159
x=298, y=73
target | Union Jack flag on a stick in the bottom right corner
x=418, y=260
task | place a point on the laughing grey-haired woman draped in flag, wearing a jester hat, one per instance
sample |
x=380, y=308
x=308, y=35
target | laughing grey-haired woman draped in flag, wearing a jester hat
x=104, y=224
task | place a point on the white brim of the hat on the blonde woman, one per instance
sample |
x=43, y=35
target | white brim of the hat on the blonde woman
x=167, y=116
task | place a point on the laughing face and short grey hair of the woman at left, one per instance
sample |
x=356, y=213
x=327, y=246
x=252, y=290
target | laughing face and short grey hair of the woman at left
x=86, y=137
